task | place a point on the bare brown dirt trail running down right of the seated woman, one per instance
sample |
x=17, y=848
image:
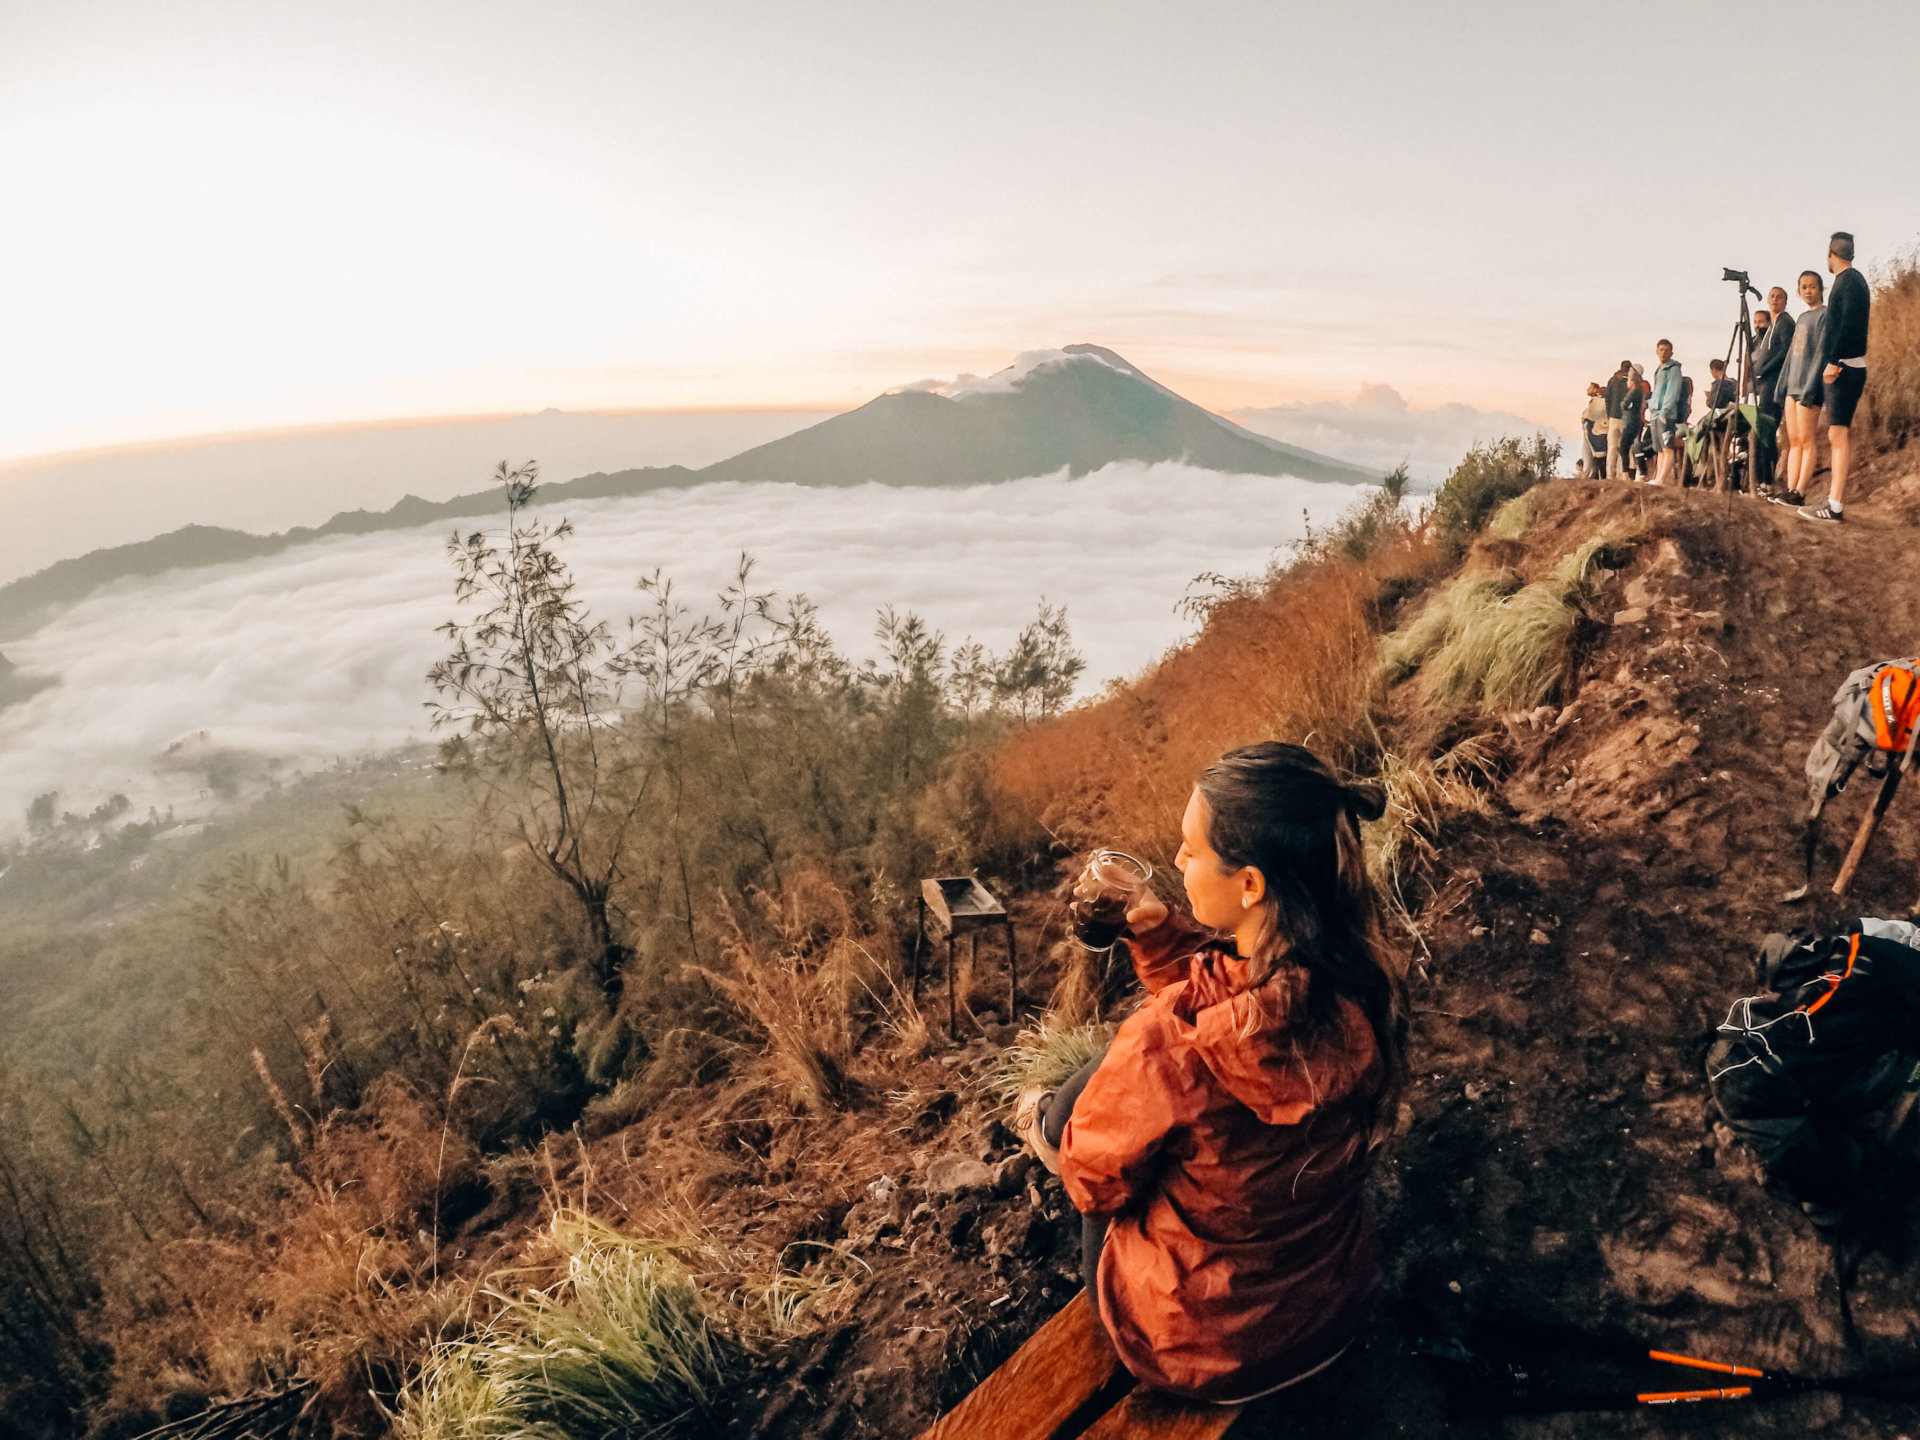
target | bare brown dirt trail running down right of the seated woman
x=1562, y=1164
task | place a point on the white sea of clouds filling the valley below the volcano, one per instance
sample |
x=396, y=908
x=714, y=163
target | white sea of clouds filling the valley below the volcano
x=322, y=654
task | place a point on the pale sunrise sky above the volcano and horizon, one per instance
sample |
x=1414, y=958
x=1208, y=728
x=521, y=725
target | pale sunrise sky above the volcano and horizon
x=233, y=216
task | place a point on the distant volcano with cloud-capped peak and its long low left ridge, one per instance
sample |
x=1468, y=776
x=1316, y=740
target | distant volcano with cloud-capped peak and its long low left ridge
x=1065, y=410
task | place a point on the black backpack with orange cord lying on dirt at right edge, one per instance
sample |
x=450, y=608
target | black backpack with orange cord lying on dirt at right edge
x=1817, y=1074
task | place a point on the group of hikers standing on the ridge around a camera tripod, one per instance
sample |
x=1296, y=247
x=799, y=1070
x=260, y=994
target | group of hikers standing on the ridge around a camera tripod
x=1790, y=372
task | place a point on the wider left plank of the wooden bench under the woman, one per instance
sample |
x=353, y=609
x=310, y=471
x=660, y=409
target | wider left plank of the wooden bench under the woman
x=1045, y=1387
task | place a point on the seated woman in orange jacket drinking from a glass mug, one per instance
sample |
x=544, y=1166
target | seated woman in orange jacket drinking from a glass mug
x=1220, y=1149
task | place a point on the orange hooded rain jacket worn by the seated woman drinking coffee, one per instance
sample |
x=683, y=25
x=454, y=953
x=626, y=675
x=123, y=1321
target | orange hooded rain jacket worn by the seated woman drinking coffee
x=1232, y=1153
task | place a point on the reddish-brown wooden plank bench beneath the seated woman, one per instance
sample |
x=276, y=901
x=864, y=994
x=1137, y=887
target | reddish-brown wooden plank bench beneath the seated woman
x=1067, y=1383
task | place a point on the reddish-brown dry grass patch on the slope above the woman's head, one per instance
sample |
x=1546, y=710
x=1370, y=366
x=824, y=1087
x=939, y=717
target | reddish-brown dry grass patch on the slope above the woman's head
x=1293, y=660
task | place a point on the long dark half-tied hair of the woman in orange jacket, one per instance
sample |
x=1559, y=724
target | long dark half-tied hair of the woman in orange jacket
x=1285, y=813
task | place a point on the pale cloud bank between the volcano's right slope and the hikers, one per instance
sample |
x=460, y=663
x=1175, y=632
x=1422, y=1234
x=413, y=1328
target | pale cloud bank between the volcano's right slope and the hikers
x=1381, y=431
